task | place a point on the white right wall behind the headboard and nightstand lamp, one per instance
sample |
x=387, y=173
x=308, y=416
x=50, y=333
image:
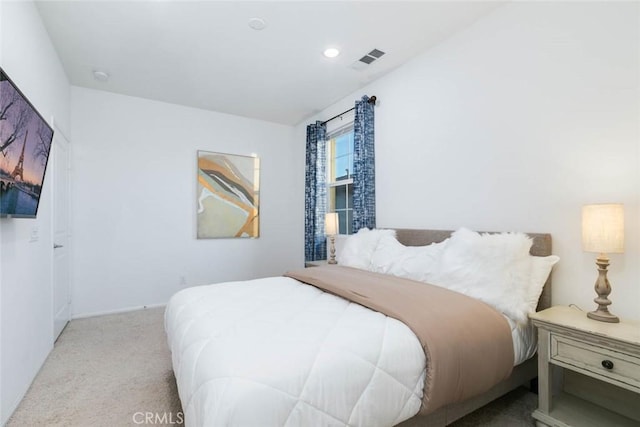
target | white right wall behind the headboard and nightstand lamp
x=514, y=124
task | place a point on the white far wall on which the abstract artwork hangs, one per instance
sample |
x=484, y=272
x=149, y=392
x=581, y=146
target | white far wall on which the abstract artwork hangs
x=134, y=168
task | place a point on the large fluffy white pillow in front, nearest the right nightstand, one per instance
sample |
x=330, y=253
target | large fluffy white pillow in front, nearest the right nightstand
x=494, y=268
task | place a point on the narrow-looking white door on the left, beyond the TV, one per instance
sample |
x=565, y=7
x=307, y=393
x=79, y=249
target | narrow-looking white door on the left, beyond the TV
x=61, y=262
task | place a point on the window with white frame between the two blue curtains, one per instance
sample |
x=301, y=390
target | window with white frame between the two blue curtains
x=339, y=179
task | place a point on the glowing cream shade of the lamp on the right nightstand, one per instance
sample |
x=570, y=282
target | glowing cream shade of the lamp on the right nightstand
x=603, y=228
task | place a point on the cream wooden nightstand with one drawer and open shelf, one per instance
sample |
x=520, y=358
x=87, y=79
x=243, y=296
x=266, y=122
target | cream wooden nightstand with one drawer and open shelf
x=600, y=366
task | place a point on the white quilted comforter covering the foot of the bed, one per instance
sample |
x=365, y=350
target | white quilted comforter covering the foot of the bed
x=276, y=352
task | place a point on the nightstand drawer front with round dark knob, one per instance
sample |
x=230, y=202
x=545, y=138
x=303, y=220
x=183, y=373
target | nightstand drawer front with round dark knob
x=613, y=366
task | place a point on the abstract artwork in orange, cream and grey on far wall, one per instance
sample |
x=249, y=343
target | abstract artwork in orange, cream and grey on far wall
x=228, y=197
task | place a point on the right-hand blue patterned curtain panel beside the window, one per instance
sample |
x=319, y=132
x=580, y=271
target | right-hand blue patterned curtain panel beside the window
x=364, y=178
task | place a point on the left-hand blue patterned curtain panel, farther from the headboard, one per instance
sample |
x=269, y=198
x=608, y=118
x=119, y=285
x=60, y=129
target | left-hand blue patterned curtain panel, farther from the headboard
x=315, y=200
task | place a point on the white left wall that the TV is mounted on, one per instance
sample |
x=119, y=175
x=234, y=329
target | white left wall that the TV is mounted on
x=26, y=338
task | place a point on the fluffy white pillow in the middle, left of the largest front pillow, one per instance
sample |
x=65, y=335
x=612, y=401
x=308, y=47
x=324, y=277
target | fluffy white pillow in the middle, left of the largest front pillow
x=411, y=262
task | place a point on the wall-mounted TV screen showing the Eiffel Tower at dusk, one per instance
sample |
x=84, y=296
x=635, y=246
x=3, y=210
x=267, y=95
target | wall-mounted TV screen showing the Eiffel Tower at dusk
x=25, y=144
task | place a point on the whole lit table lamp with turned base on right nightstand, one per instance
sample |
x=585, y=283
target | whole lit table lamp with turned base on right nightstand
x=603, y=233
